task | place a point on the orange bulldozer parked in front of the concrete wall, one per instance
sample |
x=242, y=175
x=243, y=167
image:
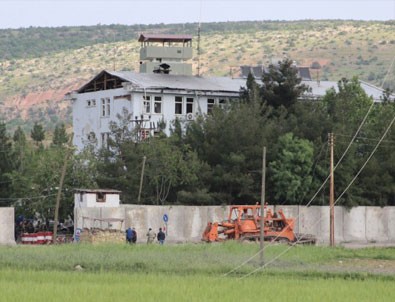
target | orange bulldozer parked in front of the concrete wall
x=243, y=223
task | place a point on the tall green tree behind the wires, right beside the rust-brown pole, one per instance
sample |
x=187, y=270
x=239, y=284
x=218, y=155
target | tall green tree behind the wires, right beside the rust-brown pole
x=346, y=109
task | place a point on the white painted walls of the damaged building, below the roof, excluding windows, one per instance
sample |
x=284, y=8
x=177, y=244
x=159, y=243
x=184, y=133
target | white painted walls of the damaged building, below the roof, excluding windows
x=87, y=119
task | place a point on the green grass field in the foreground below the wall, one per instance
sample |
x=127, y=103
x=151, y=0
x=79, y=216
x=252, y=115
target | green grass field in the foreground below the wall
x=194, y=272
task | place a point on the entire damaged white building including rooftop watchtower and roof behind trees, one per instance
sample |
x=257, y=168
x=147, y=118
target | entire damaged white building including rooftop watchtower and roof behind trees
x=163, y=91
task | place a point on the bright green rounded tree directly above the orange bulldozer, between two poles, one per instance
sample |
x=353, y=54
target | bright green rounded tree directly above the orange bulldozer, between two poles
x=290, y=171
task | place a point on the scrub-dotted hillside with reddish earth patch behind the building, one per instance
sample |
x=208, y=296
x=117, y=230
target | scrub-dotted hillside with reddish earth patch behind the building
x=39, y=65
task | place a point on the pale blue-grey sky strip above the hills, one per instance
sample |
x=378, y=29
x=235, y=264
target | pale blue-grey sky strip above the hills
x=55, y=13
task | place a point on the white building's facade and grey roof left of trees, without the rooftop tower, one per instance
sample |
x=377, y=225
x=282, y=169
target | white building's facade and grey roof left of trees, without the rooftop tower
x=148, y=99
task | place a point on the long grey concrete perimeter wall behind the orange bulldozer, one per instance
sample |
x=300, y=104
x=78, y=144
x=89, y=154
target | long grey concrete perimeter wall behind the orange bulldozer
x=187, y=223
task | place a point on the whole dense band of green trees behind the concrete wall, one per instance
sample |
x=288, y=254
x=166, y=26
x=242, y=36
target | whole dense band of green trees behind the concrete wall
x=217, y=159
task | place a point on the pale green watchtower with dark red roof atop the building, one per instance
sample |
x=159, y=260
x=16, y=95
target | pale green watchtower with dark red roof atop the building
x=166, y=54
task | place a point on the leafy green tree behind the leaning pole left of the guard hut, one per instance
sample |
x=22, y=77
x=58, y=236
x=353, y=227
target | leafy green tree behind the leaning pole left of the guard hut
x=37, y=181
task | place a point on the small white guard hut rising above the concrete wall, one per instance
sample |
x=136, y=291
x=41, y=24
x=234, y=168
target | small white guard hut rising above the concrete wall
x=96, y=198
